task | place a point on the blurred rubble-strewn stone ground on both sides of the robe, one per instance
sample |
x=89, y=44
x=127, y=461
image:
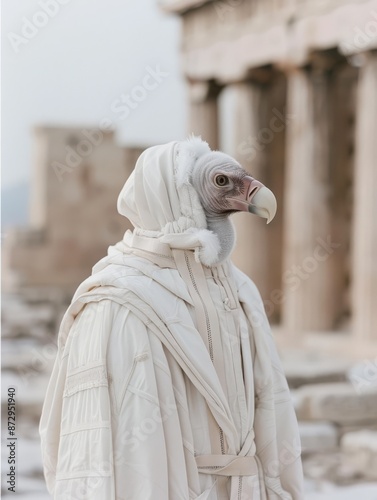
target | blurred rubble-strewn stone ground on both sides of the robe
x=336, y=401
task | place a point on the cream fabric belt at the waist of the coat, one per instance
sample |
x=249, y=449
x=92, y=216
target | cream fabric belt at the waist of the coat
x=227, y=465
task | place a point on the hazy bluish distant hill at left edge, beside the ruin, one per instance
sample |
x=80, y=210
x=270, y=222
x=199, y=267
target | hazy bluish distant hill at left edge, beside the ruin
x=15, y=205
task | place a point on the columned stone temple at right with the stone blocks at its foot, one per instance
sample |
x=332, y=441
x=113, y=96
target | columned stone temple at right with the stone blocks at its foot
x=289, y=87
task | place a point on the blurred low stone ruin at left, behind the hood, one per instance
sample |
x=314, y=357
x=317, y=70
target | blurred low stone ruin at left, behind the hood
x=77, y=176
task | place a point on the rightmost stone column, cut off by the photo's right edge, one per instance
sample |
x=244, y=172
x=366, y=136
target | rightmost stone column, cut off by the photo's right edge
x=364, y=261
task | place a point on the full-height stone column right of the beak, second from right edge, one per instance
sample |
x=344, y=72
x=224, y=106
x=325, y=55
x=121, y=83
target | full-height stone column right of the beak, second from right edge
x=309, y=300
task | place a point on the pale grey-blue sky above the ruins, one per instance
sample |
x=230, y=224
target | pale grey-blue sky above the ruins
x=75, y=67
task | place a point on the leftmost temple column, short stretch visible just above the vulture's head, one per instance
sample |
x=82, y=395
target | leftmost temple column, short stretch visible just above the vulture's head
x=203, y=113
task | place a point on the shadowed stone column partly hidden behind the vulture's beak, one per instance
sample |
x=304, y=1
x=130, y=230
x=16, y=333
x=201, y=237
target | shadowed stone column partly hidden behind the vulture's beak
x=259, y=126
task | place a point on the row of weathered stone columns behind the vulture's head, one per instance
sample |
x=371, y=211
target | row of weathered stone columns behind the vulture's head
x=318, y=262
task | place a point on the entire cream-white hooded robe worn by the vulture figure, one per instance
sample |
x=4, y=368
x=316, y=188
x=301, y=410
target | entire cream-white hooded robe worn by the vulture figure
x=167, y=384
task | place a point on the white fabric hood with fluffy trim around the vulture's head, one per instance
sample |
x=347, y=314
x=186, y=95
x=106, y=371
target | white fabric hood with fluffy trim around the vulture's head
x=160, y=202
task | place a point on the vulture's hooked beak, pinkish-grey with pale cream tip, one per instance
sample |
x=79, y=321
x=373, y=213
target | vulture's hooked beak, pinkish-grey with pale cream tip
x=256, y=199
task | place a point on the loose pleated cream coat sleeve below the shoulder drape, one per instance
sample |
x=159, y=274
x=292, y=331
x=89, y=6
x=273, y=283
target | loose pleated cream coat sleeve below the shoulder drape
x=106, y=424
